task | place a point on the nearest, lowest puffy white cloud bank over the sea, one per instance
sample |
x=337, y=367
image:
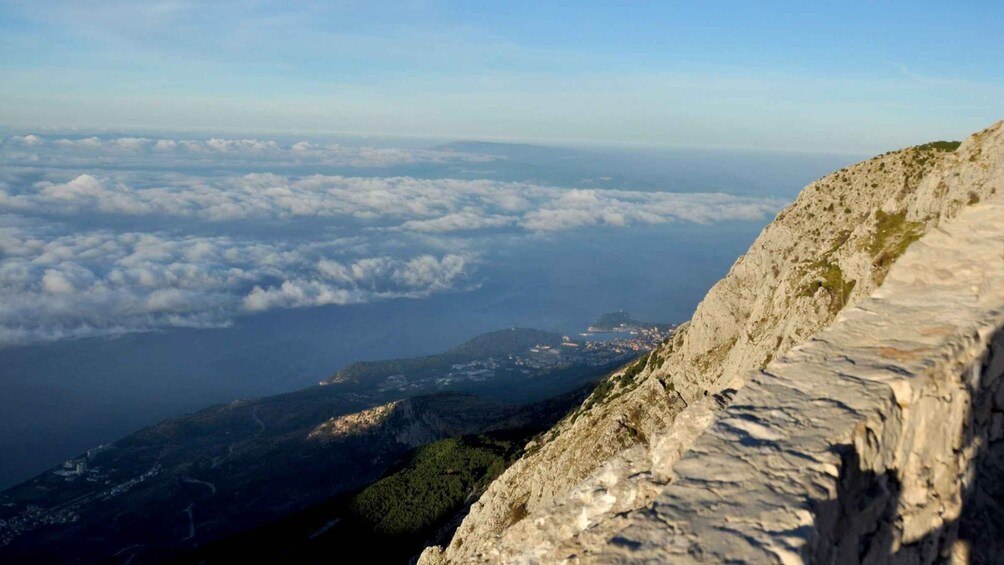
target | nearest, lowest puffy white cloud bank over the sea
x=99, y=282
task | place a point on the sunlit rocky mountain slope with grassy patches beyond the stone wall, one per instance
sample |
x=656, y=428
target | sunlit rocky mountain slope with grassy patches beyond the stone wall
x=832, y=247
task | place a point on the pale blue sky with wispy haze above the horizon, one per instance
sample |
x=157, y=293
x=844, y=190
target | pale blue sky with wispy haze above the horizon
x=844, y=78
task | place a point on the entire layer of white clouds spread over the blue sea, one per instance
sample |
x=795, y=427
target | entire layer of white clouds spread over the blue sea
x=89, y=249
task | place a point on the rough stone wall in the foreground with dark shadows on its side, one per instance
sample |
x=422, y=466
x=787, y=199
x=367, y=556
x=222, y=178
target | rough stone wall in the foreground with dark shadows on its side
x=878, y=441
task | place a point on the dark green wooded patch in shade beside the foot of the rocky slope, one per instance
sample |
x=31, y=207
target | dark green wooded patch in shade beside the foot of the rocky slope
x=433, y=485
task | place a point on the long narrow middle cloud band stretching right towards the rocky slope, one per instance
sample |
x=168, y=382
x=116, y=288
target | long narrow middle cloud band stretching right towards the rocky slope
x=417, y=205
